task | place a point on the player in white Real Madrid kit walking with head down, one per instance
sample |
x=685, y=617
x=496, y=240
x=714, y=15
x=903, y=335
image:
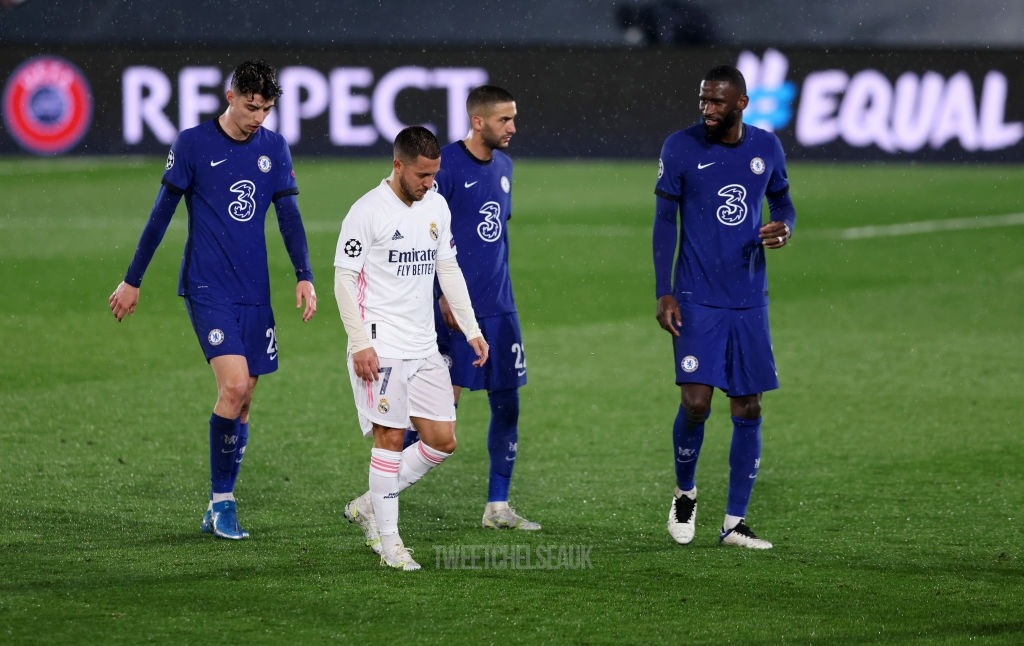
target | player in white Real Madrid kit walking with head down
x=394, y=242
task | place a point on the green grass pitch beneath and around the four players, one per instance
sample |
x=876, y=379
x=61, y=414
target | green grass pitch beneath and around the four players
x=890, y=482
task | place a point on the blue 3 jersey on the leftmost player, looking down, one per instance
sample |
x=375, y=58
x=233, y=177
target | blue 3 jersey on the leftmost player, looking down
x=229, y=187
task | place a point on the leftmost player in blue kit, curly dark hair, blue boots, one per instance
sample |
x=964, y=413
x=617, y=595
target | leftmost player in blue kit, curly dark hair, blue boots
x=230, y=170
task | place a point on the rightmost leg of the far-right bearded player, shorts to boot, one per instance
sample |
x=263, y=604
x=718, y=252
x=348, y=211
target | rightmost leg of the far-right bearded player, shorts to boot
x=752, y=372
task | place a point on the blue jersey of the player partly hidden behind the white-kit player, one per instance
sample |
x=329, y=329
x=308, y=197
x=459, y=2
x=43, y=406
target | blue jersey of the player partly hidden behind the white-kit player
x=480, y=195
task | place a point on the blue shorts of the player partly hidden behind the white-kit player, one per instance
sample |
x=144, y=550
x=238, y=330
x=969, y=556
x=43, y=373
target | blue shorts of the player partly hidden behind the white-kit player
x=506, y=367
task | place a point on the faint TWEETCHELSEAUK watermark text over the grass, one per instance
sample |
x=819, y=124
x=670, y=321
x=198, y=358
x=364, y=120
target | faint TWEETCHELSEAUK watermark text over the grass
x=522, y=557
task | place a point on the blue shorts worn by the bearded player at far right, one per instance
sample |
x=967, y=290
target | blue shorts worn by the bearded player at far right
x=724, y=349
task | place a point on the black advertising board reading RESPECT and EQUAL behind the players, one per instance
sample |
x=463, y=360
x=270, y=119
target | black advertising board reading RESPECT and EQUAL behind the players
x=857, y=105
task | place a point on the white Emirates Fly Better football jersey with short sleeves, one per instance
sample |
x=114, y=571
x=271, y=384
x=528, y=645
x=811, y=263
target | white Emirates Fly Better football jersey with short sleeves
x=395, y=248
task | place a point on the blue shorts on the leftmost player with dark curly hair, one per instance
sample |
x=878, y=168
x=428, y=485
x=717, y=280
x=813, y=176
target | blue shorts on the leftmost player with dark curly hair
x=231, y=329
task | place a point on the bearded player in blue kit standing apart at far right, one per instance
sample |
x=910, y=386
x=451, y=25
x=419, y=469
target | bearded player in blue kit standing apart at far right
x=714, y=178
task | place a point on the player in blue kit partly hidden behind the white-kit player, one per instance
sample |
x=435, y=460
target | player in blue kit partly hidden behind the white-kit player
x=477, y=181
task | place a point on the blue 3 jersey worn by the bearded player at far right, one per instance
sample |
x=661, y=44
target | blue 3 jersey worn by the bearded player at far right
x=721, y=190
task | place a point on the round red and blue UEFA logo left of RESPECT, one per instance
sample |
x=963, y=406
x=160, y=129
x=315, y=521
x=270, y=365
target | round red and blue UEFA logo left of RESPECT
x=48, y=106
